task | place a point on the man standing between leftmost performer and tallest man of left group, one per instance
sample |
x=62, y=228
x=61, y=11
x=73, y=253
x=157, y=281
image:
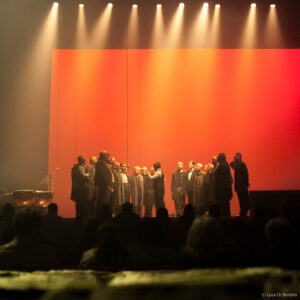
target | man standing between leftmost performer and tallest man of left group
x=91, y=196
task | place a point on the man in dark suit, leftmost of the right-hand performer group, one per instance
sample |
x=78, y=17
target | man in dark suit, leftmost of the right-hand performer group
x=178, y=189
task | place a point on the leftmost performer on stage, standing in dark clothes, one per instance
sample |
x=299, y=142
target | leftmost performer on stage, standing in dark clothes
x=79, y=192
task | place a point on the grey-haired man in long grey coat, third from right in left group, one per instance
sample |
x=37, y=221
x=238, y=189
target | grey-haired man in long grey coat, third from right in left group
x=137, y=190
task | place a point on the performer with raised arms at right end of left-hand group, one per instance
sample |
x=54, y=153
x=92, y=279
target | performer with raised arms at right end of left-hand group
x=159, y=186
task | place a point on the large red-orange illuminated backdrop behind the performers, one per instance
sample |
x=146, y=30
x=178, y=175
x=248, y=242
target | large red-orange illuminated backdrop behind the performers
x=168, y=105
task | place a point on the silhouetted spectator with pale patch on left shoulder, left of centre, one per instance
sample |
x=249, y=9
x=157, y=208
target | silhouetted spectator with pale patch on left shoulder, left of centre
x=107, y=253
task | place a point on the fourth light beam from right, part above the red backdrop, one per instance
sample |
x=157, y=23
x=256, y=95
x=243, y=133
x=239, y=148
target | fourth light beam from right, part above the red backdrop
x=198, y=36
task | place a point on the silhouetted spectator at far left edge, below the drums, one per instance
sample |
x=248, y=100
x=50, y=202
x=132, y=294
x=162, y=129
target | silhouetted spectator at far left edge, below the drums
x=6, y=224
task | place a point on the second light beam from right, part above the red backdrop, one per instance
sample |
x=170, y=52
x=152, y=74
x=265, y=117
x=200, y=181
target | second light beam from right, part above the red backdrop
x=249, y=34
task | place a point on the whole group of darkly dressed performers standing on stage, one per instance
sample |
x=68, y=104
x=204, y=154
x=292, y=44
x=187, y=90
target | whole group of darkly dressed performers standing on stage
x=106, y=181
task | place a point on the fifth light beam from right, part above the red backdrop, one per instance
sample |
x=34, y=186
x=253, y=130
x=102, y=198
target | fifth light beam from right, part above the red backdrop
x=174, y=33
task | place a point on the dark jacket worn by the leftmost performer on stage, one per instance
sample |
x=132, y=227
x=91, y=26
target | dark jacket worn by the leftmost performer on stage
x=79, y=180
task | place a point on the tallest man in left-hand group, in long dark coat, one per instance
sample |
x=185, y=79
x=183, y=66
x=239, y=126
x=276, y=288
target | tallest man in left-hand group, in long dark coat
x=104, y=179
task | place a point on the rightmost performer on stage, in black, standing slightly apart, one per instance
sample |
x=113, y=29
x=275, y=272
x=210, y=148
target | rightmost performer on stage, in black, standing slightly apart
x=241, y=183
